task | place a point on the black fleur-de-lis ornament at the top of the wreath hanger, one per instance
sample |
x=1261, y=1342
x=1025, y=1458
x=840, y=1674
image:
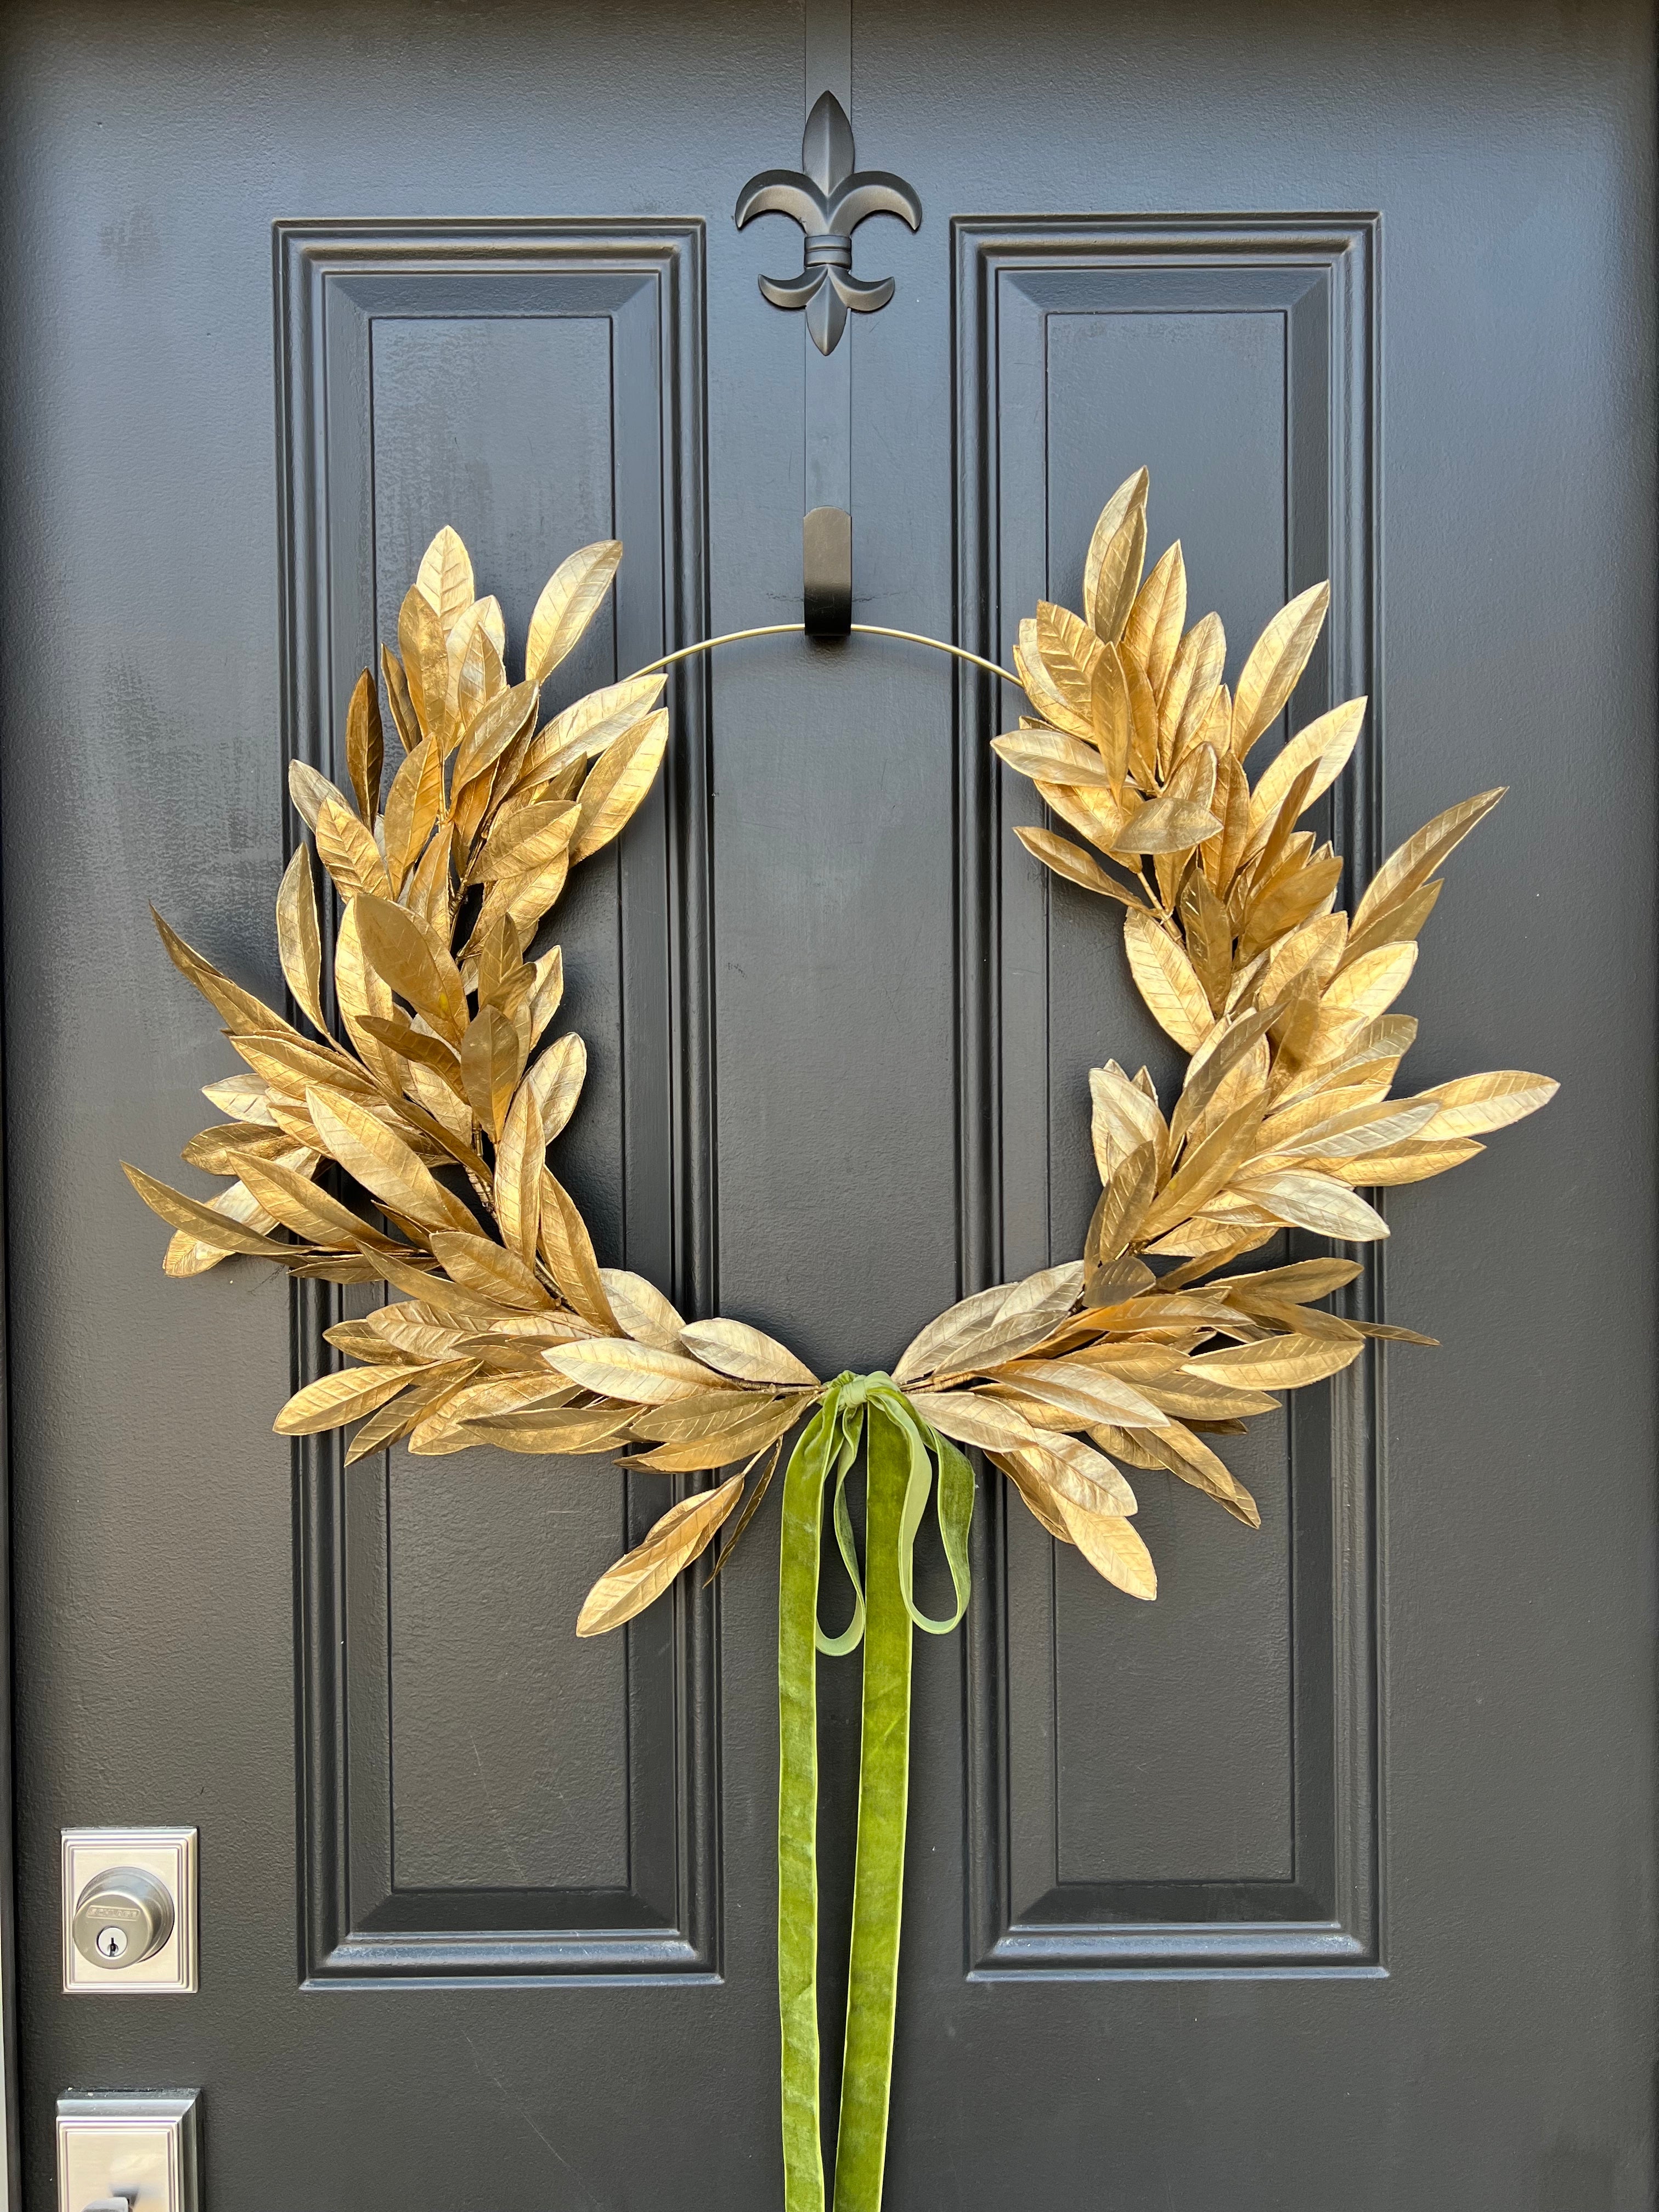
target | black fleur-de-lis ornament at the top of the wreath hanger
x=828, y=198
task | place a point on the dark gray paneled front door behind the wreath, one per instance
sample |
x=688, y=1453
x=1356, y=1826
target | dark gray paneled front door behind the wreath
x=1326, y=1884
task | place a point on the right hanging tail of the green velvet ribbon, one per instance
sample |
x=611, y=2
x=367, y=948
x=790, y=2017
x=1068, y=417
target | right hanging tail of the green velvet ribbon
x=884, y=1799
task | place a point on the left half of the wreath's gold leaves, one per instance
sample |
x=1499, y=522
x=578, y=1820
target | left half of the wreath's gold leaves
x=404, y=1136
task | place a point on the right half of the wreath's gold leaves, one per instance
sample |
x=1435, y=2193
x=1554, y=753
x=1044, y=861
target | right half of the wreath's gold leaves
x=1282, y=1003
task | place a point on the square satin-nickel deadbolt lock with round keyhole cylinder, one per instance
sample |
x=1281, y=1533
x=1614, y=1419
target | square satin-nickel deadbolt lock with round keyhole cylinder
x=129, y=1899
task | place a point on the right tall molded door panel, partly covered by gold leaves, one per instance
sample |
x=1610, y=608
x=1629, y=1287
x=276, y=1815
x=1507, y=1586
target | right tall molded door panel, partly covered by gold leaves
x=1034, y=298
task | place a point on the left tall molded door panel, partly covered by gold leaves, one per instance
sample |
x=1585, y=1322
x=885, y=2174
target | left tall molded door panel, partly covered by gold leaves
x=625, y=304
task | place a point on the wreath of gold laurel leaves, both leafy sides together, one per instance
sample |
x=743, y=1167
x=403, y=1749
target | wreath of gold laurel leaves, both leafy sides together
x=439, y=1100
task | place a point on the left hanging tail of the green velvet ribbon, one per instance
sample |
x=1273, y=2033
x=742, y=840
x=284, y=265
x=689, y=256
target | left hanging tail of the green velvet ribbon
x=800, y=1804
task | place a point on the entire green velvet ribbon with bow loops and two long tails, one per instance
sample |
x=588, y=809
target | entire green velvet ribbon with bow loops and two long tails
x=901, y=1454
